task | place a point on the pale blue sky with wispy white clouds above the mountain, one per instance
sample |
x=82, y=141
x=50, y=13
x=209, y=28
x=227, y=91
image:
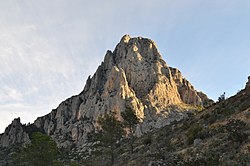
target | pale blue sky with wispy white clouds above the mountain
x=48, y=48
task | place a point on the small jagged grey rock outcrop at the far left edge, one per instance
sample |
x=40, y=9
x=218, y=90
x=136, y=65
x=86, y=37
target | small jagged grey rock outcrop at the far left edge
x=14, y=134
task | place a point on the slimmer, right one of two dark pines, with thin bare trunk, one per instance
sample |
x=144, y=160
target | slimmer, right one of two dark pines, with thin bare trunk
x=130, y=120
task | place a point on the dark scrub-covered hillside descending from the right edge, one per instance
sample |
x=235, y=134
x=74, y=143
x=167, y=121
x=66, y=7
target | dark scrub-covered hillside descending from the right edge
x=218, y=135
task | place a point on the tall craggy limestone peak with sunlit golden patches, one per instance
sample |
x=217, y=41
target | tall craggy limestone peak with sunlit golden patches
x=133, y=75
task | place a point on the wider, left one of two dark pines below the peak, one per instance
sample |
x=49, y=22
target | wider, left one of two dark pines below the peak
x=110, y=134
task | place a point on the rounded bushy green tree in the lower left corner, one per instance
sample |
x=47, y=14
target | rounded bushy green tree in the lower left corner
x=42, y=151
